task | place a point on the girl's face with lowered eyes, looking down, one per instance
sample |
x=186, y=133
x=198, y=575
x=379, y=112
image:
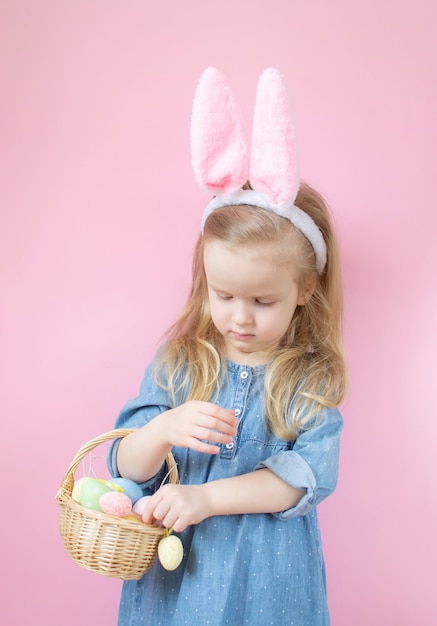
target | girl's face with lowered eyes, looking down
x=252, y=299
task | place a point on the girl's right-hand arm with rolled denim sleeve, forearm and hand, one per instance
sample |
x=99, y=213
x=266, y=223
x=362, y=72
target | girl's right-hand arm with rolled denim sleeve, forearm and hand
x=312, y=466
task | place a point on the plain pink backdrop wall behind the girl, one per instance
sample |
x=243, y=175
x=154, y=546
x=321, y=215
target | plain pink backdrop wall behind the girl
x=99, y=211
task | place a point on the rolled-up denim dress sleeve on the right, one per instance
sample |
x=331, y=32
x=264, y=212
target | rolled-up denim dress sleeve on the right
x=312, y=463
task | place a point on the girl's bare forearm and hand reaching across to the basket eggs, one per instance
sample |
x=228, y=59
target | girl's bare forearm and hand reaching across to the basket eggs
x=262, y=491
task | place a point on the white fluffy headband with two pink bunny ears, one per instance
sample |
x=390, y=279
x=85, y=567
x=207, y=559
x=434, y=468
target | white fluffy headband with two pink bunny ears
x=221, y=161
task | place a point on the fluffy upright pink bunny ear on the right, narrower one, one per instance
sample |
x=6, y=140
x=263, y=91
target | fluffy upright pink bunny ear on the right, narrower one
x=273, y=167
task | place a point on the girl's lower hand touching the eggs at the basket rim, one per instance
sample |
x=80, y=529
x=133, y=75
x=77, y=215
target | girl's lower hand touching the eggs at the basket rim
x=177, y=506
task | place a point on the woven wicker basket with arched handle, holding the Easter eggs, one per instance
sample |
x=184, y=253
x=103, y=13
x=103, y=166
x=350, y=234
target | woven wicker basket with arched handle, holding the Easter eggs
x=102, y=543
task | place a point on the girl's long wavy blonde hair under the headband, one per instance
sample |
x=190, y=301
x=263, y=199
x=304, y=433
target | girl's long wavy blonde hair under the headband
x=307, y=370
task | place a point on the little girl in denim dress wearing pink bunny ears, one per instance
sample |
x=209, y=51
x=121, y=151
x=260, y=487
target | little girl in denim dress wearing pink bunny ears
x=244, y=390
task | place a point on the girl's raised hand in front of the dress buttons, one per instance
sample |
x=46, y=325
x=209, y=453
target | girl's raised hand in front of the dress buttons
x=199, y=425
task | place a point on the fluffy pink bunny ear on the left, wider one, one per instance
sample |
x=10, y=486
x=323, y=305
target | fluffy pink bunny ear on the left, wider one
x=219, y=154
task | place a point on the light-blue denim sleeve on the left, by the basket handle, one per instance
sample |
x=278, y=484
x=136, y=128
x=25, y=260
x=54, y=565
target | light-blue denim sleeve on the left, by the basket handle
x=151, y=401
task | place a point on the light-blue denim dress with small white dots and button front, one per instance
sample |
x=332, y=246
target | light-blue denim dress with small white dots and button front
x=255, y=569
